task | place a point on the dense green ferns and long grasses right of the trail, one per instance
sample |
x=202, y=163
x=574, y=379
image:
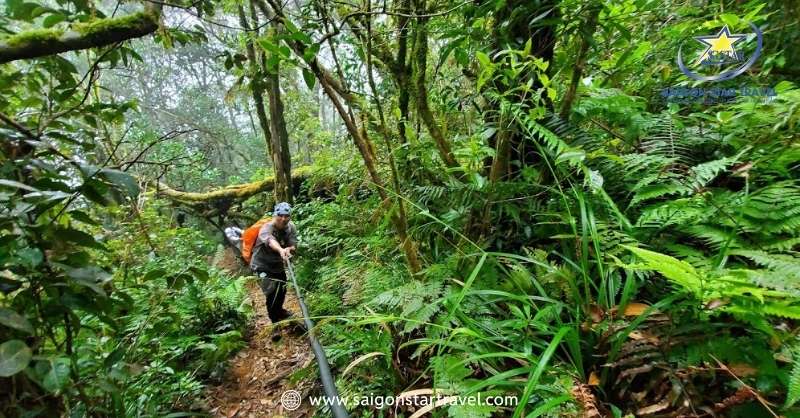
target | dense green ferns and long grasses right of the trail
x=596, y=296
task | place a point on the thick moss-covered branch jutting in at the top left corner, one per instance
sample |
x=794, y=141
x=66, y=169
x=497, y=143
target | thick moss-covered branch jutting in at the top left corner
x=101, y=32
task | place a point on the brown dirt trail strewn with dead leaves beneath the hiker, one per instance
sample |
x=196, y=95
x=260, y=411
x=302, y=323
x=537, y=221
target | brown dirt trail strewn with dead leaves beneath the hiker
x=259, y=374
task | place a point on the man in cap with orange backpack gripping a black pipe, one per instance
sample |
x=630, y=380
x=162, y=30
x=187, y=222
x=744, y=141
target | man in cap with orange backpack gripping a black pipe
x=276, y=241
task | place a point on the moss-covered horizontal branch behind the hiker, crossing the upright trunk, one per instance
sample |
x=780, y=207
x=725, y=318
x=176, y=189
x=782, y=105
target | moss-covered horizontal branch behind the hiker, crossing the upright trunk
x=236, y=192
